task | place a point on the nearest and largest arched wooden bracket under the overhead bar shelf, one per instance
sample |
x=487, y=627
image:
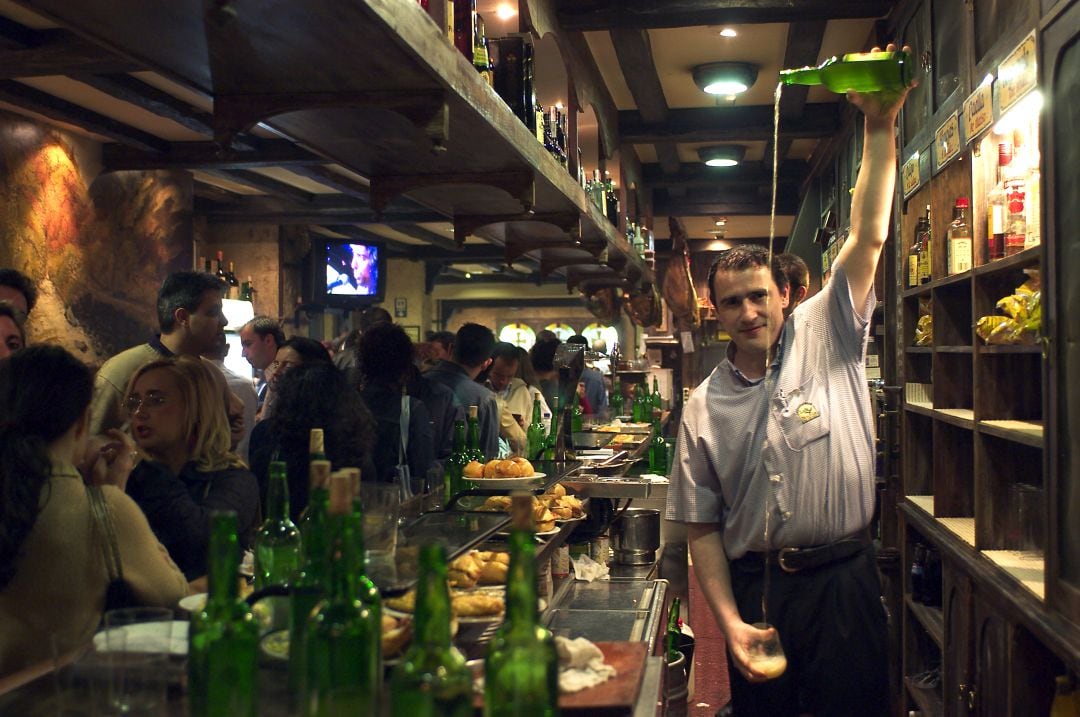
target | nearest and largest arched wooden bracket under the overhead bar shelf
x=427, y=110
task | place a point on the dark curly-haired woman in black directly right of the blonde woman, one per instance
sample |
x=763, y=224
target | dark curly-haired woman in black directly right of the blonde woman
x=308, y=397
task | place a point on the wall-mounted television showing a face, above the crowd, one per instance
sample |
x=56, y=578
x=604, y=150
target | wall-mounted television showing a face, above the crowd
x=353, y=274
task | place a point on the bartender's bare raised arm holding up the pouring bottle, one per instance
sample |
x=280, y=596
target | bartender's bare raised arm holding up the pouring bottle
x=872, y=202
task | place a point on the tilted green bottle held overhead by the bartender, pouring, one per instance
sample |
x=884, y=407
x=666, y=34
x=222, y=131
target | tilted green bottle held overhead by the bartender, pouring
x=865, y=72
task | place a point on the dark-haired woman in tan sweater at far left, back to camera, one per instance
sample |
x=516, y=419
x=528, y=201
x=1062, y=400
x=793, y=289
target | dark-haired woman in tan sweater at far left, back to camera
x=53, y=576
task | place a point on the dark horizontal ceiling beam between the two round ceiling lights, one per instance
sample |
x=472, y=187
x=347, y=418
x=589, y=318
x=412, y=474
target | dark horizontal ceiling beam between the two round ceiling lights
x=728, y=125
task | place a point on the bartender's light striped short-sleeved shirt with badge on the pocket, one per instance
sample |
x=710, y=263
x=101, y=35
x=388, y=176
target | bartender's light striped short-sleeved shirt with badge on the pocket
x=807, y=454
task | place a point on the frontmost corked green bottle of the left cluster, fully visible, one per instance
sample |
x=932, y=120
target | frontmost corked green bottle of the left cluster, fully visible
x=344, y=642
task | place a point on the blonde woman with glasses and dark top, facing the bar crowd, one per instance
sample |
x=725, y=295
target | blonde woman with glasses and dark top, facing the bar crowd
x=179, y=422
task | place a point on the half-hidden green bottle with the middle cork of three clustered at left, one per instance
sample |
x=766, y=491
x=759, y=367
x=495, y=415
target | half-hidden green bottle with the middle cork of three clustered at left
x=310, y=584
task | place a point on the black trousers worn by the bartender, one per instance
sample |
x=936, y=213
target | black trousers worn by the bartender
x=832, y=626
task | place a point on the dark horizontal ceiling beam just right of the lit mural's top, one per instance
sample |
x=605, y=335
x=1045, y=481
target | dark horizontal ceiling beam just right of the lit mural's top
x=209, y=156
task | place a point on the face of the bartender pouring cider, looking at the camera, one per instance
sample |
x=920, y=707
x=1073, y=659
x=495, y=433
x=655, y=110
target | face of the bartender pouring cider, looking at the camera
x=750, y=308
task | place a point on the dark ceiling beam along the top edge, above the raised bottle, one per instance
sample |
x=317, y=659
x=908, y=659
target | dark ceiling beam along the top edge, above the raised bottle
x=587, y=16
